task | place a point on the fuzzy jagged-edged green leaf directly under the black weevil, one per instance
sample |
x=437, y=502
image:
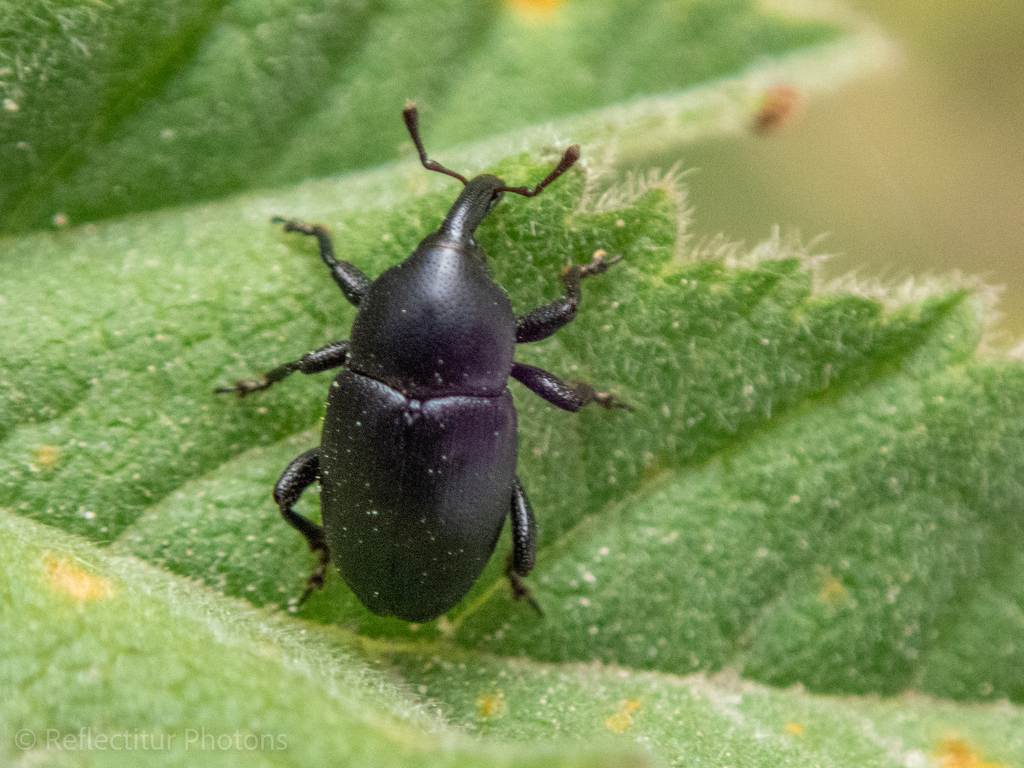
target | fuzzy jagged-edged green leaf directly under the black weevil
x=813, y=488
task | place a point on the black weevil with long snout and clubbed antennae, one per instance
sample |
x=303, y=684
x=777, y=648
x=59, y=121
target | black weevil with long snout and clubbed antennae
x=417, y=461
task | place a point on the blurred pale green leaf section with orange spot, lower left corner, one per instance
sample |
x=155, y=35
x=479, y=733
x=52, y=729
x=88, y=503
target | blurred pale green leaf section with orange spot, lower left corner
x=111, y=658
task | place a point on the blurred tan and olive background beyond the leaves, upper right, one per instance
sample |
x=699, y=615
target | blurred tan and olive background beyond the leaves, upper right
x=918, y=172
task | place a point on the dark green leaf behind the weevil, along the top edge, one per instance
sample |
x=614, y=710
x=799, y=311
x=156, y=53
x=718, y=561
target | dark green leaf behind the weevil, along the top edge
x=112, y=108
